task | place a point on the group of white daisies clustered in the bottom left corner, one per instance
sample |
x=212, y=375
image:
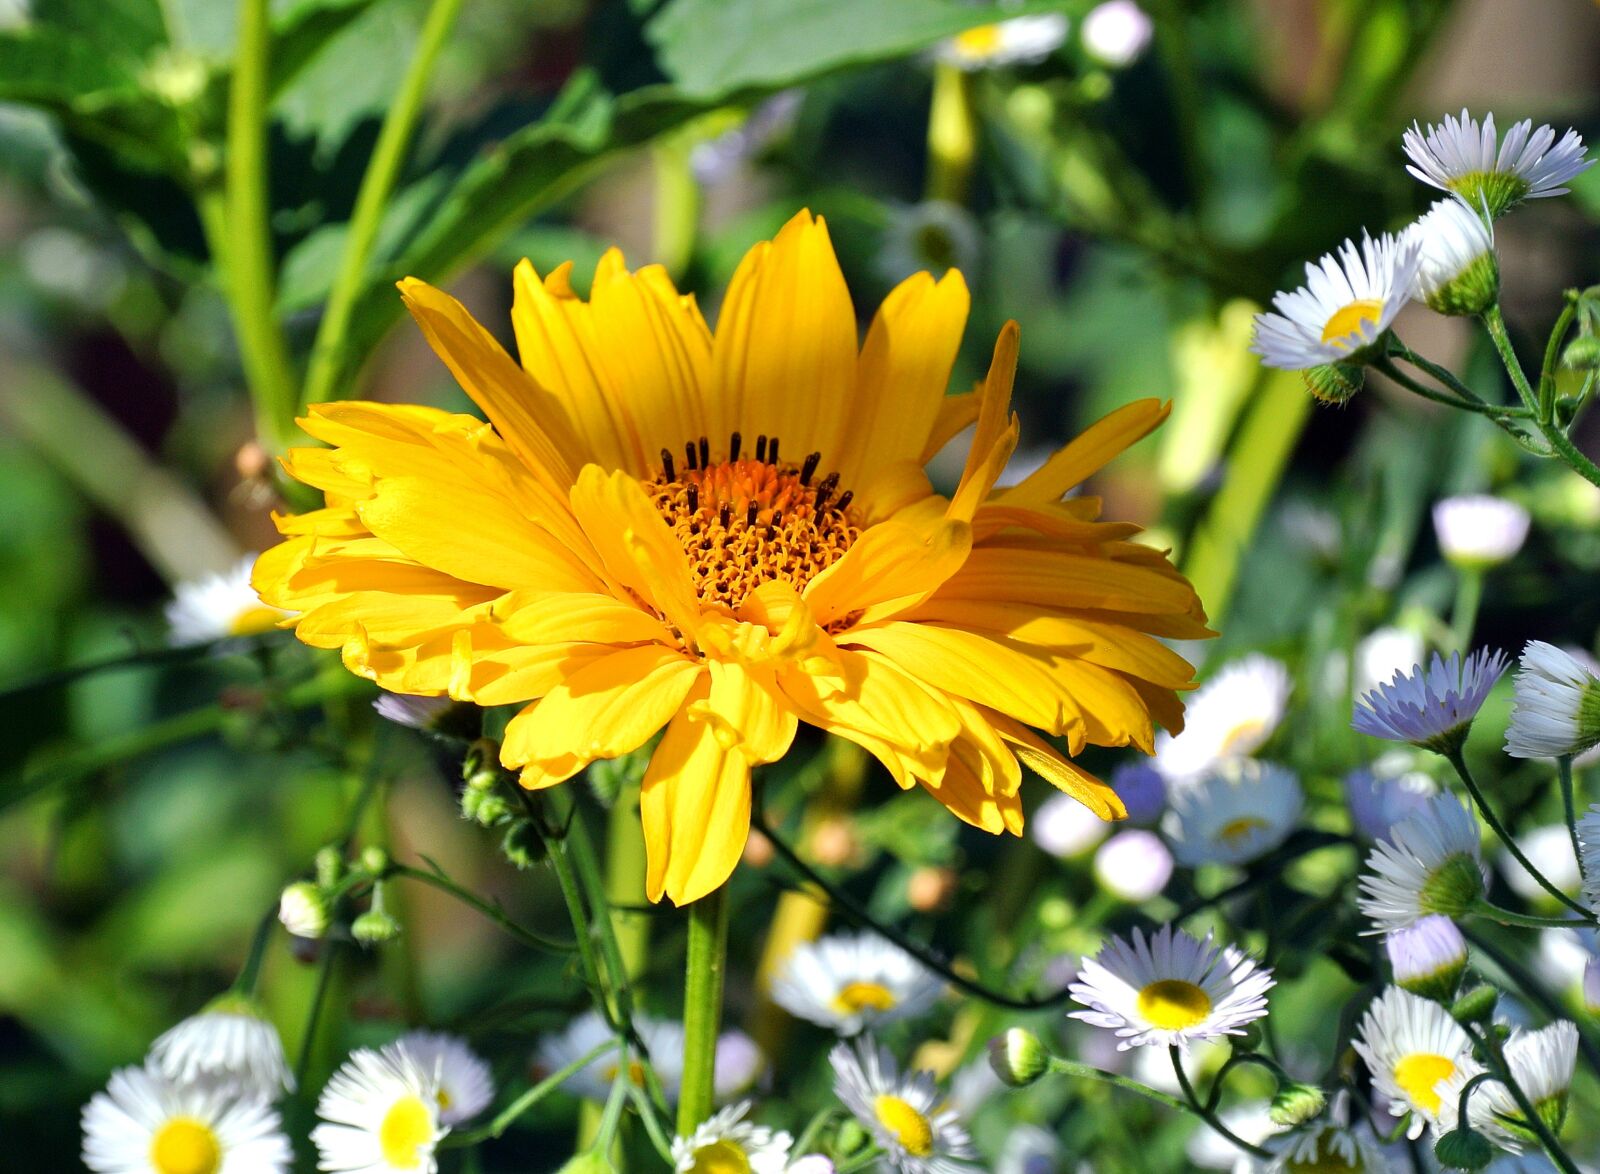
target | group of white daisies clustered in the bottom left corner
x=204, y=1103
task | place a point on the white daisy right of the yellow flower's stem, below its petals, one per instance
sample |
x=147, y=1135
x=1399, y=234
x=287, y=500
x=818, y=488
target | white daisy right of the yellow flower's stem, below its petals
x=855, y=981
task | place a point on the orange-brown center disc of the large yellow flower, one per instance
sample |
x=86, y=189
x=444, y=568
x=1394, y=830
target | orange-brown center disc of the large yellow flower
x=751, y=521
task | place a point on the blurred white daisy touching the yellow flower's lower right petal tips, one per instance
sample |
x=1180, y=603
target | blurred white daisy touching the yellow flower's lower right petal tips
x=1230, y=717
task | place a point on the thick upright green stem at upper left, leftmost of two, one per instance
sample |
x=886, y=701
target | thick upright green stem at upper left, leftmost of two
x=250, y=268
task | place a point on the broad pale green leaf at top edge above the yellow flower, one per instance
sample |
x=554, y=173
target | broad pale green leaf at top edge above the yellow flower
x=713, y=49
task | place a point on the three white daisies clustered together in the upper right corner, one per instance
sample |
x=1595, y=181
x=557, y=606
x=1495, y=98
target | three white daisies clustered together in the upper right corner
x=1446, y=260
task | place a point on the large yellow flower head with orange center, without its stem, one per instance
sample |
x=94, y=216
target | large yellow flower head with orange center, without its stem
x=729, y=535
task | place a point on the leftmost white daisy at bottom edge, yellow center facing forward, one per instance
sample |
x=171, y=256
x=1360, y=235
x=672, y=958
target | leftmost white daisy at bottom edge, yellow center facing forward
x=146, y=1124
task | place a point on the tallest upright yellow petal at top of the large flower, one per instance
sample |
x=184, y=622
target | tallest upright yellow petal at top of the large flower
x=785, y=354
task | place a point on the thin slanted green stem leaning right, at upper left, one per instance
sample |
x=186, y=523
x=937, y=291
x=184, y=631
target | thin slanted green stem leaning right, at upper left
x=378, y=185
